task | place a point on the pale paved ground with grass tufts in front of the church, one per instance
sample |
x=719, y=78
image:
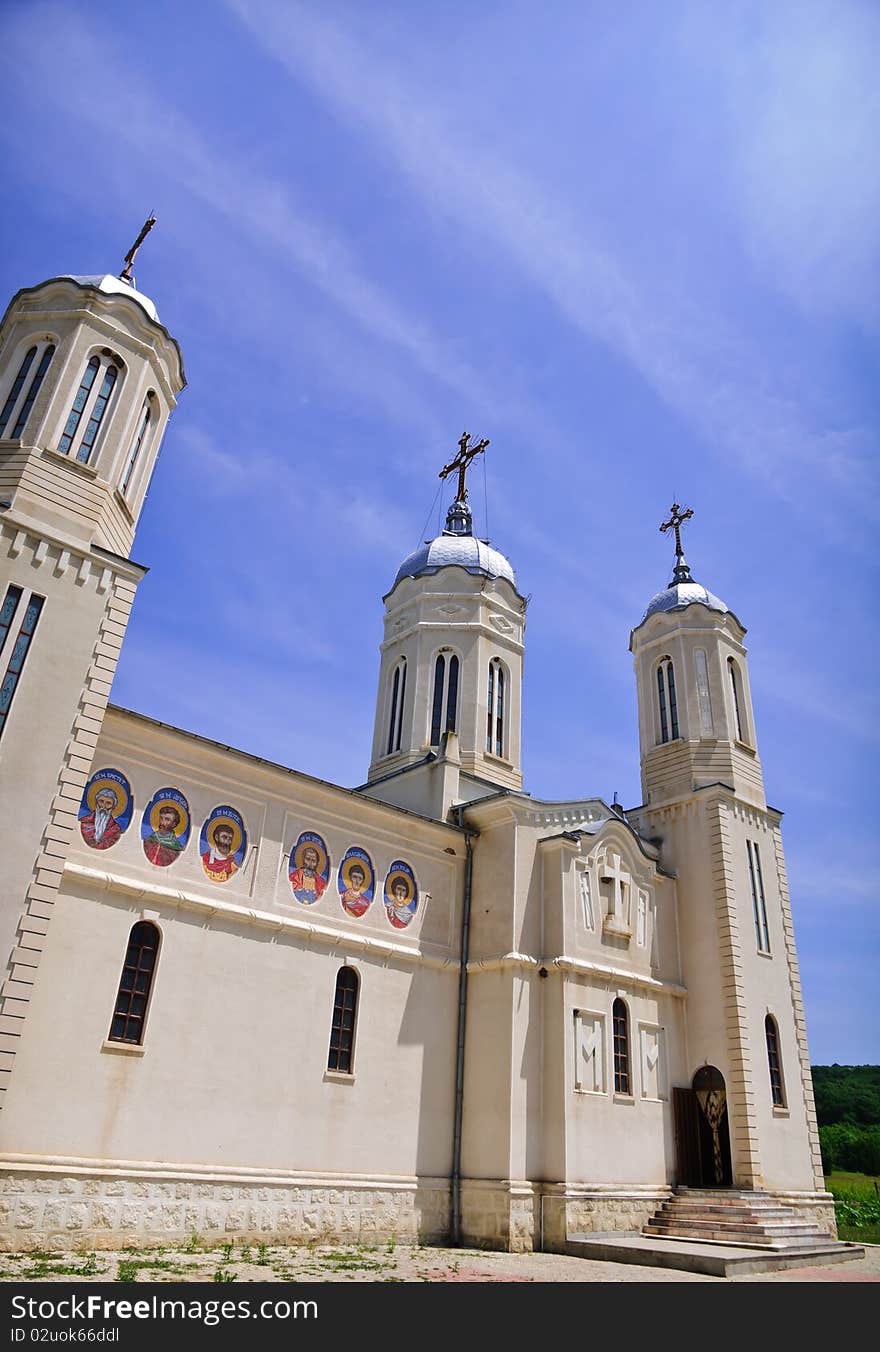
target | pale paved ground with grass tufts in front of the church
x=386, y=1263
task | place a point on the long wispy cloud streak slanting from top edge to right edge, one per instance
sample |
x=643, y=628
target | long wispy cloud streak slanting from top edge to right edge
x=697, y=360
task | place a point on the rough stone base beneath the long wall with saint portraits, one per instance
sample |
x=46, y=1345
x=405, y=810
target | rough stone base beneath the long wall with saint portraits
x=84, y=1207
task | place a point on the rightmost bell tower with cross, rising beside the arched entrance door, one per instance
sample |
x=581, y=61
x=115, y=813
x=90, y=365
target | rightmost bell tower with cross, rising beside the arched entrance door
x=705, y=806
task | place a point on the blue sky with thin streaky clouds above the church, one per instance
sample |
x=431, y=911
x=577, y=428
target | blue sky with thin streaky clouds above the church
x=635, y=245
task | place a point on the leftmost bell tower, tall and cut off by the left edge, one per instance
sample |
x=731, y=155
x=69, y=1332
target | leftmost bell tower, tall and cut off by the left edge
x=89, y=379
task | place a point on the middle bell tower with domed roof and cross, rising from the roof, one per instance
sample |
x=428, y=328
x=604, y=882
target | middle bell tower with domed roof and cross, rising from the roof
x=452, y=663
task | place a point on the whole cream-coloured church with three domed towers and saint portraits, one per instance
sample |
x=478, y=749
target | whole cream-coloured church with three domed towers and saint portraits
x=251, y=1005
